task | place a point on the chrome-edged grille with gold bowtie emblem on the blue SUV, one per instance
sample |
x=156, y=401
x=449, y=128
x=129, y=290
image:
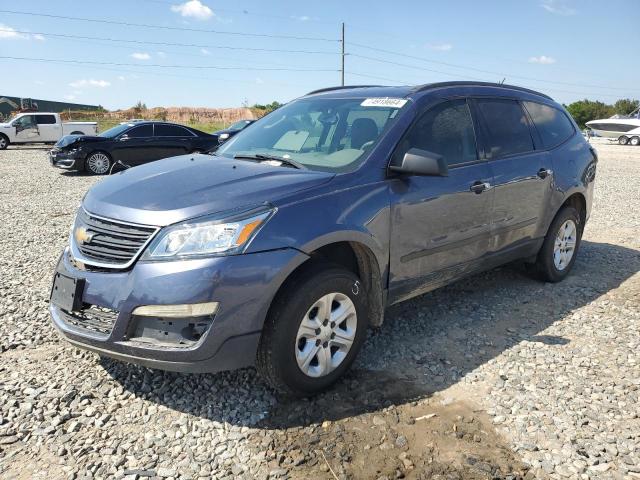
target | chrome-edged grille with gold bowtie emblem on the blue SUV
x=109, y=243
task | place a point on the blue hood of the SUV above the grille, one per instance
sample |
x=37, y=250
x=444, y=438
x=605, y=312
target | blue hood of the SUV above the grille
x=179, y=188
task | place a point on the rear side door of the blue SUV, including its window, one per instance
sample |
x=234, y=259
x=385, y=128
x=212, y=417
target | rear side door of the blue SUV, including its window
x=522, y=174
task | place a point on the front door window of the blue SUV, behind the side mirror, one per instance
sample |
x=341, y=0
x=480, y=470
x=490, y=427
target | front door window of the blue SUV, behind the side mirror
x=446, y=129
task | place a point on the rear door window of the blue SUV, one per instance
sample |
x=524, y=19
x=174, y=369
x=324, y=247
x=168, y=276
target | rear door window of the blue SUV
x=506, y=126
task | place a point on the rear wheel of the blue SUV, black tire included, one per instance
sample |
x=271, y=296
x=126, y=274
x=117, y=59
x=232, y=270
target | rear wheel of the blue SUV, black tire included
x=553, y=263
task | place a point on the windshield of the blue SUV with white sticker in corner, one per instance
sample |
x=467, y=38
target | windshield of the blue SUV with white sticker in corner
x=328, y=134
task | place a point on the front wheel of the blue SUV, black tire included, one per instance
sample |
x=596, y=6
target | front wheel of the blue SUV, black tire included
x=285, y=344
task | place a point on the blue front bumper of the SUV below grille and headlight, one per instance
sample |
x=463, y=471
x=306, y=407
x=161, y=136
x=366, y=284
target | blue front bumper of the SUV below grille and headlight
x=243, y=285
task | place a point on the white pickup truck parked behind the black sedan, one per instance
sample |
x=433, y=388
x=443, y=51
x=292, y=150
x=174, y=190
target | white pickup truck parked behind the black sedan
x=37, y=127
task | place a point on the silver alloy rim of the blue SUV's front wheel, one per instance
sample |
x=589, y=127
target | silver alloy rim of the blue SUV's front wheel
x=326, y=334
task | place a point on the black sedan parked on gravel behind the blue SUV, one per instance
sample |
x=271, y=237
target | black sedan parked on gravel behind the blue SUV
x=128, y=144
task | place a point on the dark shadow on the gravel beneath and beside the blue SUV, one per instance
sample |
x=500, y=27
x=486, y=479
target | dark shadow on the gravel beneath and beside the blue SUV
x=455, y=325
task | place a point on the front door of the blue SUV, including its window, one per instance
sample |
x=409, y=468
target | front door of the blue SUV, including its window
x=439, y=225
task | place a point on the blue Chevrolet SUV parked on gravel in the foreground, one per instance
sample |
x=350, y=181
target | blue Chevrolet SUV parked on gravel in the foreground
x=283, y=247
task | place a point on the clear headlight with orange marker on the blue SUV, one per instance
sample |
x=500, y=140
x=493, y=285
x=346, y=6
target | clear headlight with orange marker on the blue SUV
x=206, y=237
